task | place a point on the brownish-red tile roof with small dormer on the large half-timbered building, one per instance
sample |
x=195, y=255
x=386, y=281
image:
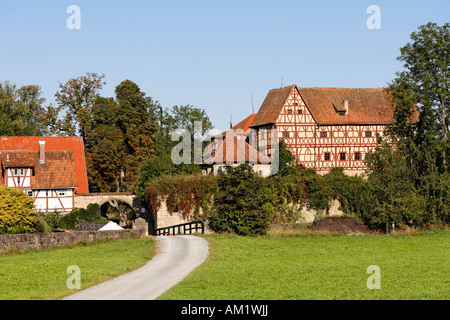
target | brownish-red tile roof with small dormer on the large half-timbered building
x=364, y=105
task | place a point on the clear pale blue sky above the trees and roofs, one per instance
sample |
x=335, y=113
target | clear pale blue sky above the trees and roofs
x=210, y=54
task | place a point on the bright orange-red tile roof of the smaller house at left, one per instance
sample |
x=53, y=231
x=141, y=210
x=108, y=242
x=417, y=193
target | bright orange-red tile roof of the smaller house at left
x=65, y=162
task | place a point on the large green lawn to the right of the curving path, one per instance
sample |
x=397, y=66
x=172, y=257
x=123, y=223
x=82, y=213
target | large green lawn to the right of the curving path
x=320, y=267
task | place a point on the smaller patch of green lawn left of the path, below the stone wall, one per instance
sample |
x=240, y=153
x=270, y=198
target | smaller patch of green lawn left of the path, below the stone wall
x=42, y=274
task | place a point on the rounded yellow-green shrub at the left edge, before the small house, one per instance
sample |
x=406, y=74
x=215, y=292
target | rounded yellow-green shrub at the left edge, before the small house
x=17, y=213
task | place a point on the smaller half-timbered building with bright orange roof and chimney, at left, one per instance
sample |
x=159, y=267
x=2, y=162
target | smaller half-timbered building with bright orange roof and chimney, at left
x=49, y=169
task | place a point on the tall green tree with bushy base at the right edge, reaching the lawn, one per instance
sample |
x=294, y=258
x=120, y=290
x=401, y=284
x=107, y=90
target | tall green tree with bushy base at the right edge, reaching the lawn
x=409, y=182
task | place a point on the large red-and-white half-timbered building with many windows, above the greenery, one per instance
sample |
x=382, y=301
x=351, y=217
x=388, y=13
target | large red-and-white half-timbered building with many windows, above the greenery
x=323, y=127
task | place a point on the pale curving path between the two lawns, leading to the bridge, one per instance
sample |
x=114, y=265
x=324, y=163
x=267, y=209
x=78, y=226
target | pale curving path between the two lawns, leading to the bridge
x=176, y=257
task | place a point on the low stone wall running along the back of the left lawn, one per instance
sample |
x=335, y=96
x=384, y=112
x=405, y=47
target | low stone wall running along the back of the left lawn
x=47, y=240
